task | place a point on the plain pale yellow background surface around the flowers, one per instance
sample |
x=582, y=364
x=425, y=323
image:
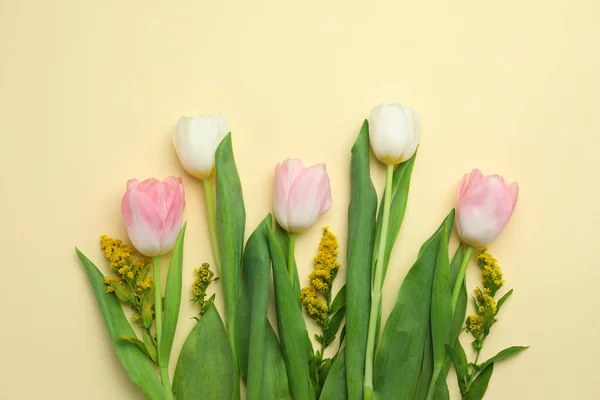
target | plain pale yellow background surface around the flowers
x=90, y=92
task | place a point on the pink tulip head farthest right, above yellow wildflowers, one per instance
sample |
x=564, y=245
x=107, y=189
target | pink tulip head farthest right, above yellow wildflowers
x=483, y=207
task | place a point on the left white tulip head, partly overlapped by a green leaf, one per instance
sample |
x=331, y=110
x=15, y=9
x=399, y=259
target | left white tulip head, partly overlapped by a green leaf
x=196, y=139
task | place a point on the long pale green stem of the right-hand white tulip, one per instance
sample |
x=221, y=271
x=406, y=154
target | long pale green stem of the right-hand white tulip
x=377, y=285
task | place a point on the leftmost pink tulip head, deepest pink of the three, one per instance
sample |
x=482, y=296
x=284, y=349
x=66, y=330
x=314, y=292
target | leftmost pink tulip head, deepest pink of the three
x=153, y=213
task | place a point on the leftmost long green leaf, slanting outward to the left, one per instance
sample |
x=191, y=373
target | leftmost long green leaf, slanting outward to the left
x=139, y=368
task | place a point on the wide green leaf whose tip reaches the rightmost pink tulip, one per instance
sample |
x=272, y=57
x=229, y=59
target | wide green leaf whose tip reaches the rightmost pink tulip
x=404, y=338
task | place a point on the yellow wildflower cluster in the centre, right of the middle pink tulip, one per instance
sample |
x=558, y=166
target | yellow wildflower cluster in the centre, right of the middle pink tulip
x=321, y=279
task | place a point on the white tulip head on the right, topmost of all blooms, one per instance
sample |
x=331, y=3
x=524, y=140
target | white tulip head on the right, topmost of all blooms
x=394, y=132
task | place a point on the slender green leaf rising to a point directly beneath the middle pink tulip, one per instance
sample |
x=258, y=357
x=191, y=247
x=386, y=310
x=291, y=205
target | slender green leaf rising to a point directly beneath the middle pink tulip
x=295, y=343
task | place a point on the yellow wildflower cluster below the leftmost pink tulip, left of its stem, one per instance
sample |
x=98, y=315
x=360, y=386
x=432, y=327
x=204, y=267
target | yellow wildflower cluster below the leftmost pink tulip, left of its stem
x=131, y=284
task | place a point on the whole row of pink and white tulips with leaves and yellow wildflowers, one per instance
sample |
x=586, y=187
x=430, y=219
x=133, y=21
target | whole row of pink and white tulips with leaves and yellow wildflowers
x=408, y=356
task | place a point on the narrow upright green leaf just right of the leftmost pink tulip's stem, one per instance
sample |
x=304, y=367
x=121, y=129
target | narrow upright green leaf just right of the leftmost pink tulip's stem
x=172, y=300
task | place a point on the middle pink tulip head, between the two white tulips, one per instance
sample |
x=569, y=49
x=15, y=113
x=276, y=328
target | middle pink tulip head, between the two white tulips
x=301, y=194
